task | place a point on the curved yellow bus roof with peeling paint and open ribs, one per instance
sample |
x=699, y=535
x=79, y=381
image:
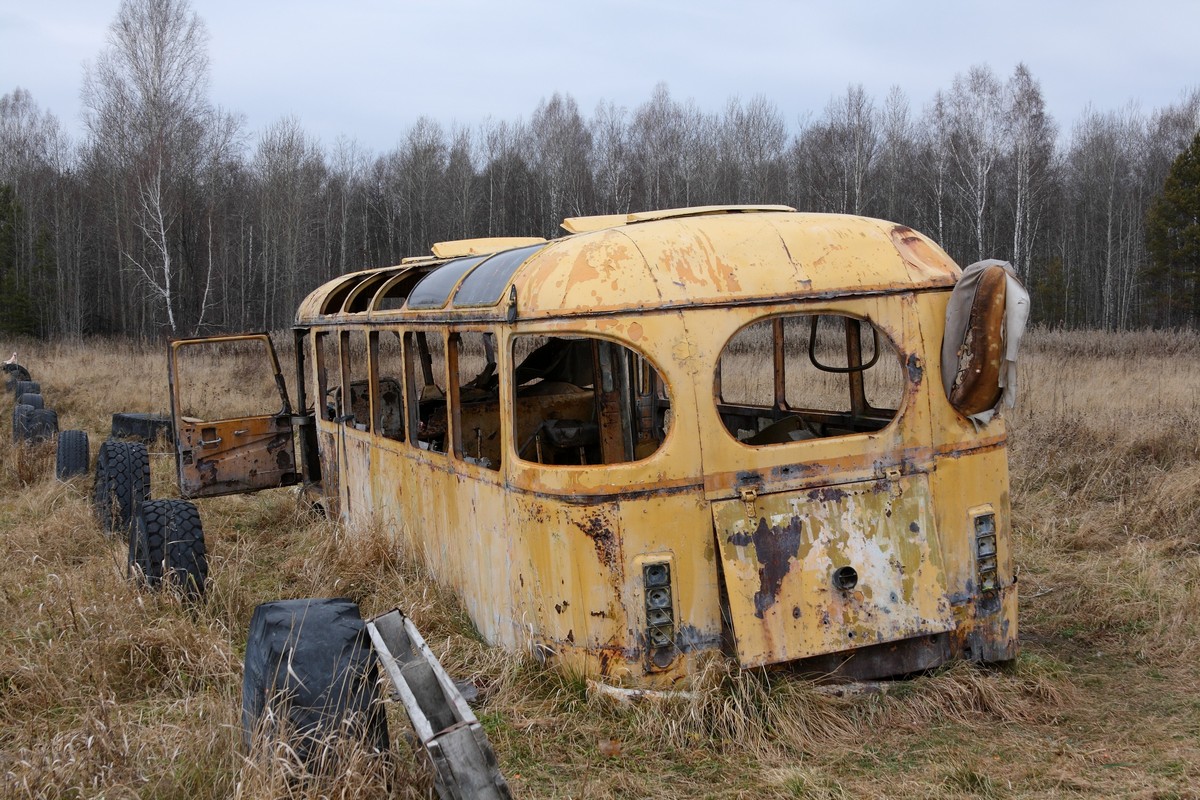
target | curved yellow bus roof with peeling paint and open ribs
x=710, y=256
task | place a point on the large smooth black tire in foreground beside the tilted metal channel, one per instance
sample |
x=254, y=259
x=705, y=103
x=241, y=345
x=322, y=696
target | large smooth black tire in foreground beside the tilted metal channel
x=310, y=670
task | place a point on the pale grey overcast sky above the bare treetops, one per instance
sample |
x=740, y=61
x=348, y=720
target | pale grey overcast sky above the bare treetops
x=369, y=69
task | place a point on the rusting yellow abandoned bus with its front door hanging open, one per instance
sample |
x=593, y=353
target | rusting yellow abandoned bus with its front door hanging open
x=665, y=435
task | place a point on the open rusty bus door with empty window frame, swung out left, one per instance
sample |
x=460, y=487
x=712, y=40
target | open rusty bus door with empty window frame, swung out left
x=232, y=414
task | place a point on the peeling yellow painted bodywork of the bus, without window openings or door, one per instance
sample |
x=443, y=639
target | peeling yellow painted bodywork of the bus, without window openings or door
x=819, y=552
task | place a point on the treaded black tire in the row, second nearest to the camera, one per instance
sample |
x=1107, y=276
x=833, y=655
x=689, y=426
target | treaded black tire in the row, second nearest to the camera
x=167, y=544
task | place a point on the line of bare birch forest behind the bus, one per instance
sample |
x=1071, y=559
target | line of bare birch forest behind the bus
x=170, y=218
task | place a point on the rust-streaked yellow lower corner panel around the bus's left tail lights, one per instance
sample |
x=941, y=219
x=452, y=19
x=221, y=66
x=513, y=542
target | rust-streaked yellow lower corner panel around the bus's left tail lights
x=581, y=588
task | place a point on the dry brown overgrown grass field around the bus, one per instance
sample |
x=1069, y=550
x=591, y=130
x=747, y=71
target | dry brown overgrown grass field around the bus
x=109, y=691
